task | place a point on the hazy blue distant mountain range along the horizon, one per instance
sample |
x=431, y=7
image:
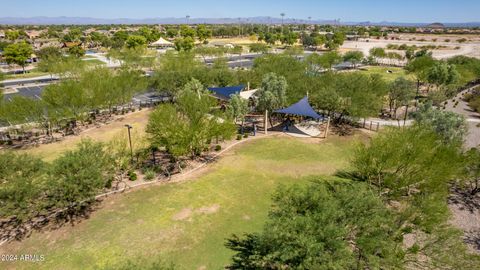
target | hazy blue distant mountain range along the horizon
x=257, y=20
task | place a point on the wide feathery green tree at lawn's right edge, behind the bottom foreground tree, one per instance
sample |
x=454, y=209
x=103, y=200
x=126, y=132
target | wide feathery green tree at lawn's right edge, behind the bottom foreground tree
x=405, y=161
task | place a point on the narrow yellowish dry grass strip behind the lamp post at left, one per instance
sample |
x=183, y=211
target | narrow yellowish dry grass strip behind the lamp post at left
x=116, y=129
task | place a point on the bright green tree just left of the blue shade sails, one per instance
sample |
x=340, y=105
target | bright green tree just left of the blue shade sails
x=185, y=127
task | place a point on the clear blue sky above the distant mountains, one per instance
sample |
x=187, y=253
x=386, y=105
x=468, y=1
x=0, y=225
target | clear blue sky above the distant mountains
x=346, y=10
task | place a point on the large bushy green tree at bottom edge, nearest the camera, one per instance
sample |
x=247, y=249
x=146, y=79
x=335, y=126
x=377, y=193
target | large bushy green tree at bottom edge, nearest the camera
x=323, y=225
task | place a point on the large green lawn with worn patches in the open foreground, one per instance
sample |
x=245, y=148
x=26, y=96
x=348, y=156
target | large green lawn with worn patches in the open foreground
x=186, y=223
